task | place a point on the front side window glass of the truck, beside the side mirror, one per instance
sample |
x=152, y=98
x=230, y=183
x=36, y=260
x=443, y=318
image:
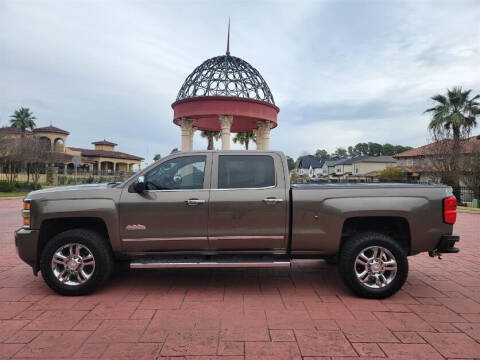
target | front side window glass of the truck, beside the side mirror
x=186, y=172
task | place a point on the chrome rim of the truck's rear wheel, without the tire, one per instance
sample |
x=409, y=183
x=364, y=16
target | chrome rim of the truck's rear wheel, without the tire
x=375, y=267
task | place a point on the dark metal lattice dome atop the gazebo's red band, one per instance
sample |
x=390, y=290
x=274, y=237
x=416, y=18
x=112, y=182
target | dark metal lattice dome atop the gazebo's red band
x=226, y=76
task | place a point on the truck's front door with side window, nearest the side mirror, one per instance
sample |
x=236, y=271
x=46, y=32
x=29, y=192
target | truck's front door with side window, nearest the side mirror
x=172, y=213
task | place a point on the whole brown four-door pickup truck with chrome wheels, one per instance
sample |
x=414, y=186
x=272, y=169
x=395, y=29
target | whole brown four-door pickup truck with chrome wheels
x=232, y=209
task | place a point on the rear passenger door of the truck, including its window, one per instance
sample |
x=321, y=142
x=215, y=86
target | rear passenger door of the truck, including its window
x=248, y=202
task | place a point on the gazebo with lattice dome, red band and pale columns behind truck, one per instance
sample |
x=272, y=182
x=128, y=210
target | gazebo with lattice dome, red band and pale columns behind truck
x=226, y=94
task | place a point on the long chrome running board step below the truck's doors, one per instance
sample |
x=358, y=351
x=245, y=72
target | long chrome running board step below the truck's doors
x=207, y=264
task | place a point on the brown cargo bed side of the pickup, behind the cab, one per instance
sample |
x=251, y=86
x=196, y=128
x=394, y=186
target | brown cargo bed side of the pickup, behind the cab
x=320, y=210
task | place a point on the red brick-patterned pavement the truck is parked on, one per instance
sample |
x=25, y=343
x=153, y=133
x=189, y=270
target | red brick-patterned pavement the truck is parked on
x=236, y=314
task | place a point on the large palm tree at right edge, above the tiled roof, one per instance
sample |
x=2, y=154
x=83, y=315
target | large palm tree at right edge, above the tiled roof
x=454, y=114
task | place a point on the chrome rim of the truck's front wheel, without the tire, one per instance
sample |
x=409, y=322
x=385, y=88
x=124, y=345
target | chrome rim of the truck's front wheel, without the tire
x=73, y=264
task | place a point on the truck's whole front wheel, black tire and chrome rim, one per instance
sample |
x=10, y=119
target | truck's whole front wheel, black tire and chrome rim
x=76, y=262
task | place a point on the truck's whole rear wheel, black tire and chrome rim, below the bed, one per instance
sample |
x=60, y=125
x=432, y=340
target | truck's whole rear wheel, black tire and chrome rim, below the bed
x=373, y=265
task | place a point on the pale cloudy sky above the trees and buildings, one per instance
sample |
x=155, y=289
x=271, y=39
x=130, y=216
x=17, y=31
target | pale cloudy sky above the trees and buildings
x=341, y=72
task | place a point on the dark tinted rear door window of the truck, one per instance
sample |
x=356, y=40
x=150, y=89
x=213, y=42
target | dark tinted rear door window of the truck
x=245, y=171
